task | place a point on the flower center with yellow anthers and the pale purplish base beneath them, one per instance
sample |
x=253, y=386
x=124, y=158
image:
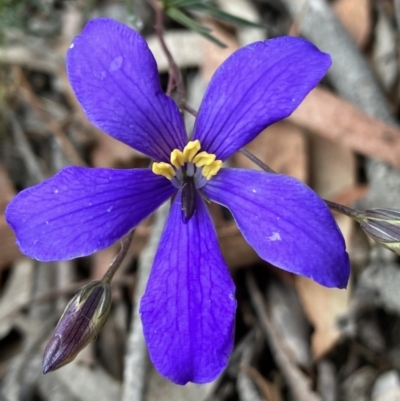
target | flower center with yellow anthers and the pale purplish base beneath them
x=189, y=165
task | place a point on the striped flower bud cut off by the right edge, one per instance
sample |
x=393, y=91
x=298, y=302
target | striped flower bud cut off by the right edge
x=383, y=226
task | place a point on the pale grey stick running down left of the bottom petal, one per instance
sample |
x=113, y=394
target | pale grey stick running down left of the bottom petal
x=136, y=359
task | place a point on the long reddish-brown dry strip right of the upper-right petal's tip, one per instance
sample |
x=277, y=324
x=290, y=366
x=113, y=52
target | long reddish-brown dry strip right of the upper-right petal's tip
x=333, y=118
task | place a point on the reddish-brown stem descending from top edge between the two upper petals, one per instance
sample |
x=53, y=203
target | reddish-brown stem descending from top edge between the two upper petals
x=175, y=72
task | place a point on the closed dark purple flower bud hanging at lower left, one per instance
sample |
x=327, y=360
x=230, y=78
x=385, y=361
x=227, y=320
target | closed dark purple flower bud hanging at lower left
x=81, y=321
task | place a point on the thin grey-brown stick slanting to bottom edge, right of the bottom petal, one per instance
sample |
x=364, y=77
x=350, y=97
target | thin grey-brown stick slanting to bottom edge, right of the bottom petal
x=295, y=378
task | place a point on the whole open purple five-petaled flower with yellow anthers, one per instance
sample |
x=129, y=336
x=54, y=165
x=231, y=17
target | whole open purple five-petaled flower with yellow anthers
x=188, y=310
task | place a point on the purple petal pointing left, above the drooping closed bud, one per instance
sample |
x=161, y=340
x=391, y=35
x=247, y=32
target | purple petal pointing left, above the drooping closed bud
x=80, y=210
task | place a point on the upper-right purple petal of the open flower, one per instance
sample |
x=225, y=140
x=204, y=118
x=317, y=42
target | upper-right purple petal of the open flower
x=258, y=85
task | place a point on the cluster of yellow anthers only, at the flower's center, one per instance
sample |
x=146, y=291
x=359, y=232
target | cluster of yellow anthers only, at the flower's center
x=188, y=155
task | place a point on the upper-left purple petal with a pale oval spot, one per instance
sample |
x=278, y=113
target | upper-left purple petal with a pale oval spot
x=115, y=78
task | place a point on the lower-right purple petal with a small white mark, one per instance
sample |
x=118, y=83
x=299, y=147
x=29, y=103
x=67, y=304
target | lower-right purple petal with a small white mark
x=286, y=223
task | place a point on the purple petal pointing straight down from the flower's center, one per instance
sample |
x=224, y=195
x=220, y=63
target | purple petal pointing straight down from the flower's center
x=188, y=309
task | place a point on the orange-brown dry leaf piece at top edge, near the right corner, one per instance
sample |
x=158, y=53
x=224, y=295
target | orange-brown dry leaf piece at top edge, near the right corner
x=355, y=15
